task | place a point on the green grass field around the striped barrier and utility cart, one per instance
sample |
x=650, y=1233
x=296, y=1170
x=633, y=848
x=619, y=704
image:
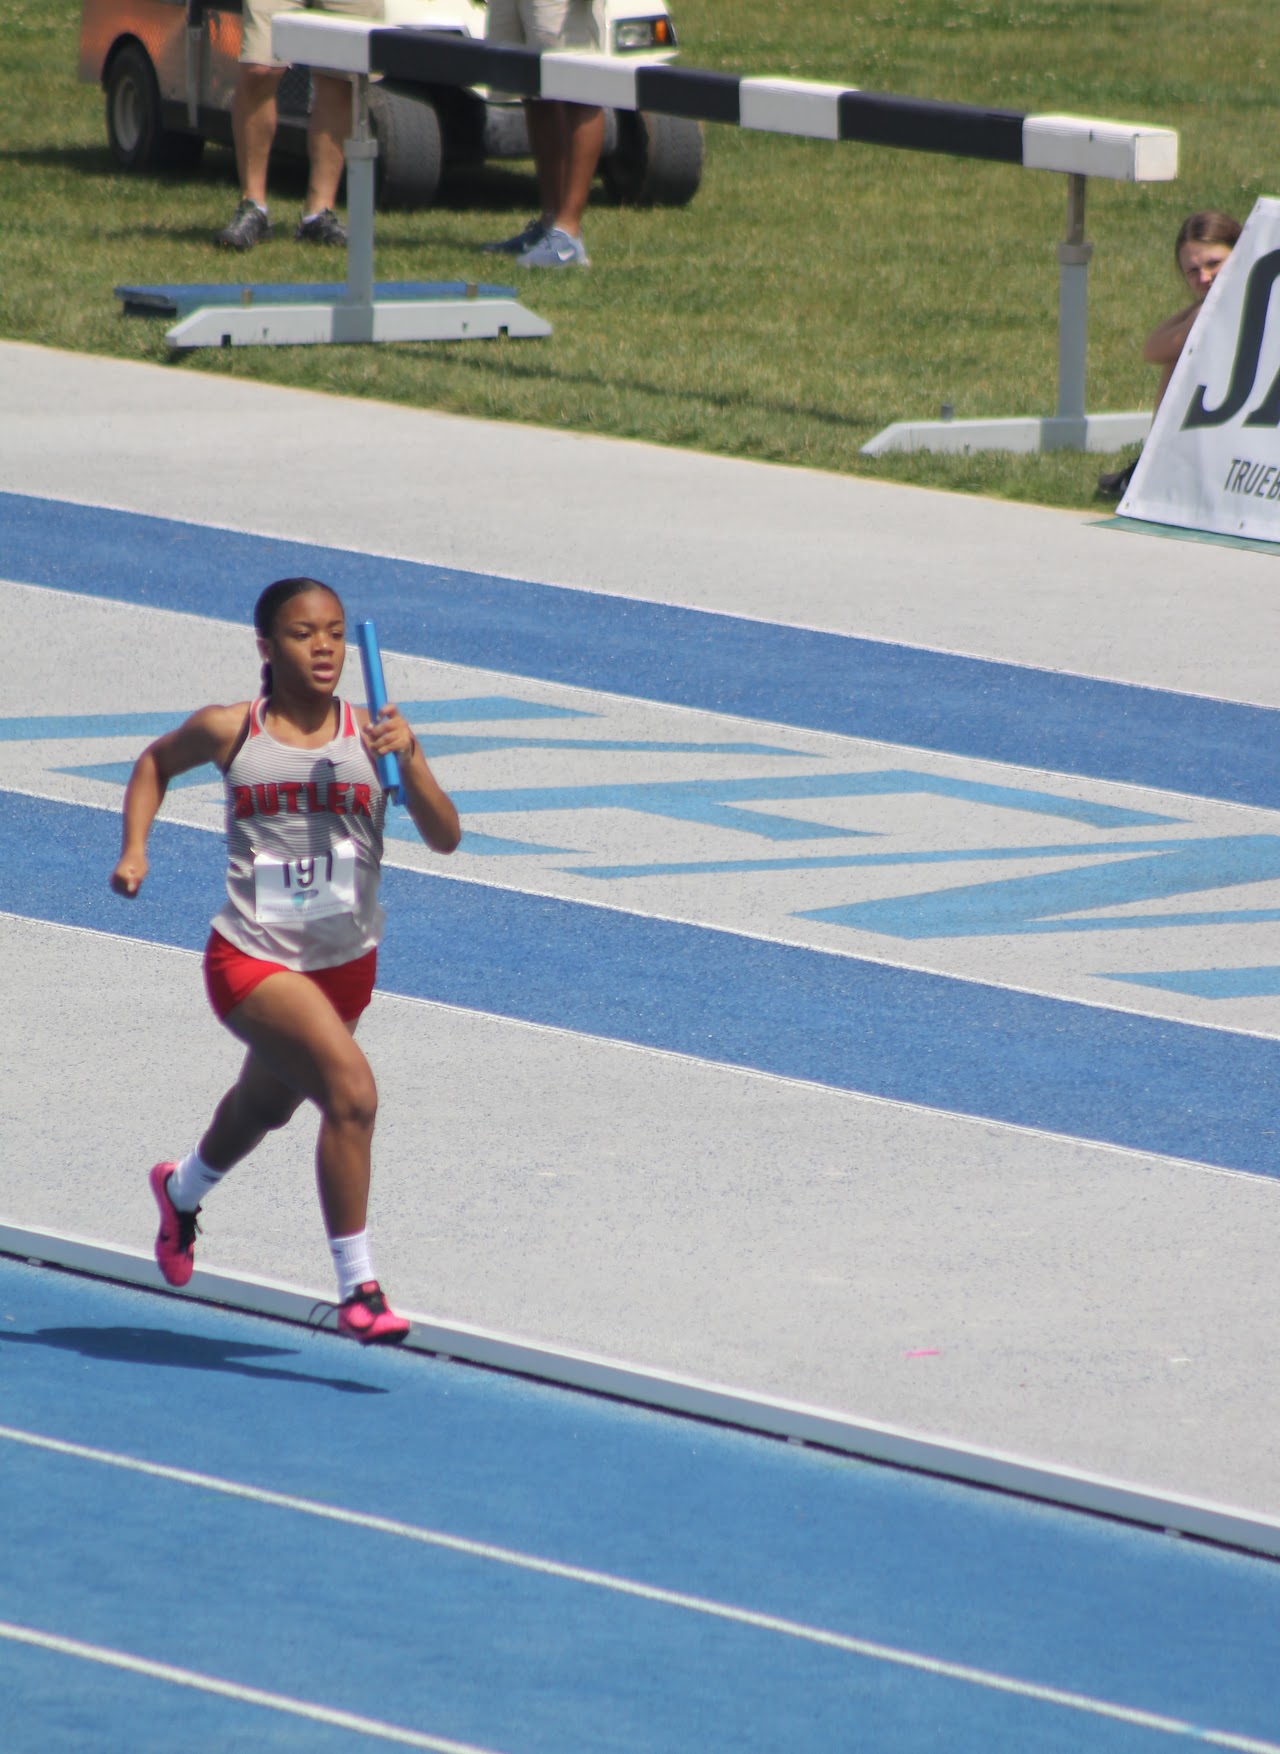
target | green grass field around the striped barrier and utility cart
x=807, y=297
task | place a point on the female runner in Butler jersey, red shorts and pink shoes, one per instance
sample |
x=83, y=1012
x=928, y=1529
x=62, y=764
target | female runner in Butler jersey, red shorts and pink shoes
x=292, y=957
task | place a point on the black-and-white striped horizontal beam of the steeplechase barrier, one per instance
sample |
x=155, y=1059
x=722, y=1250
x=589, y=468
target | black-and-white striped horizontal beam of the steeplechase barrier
x=1074, y=145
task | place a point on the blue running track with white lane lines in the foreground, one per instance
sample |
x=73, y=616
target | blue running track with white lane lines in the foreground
x=299, y=1546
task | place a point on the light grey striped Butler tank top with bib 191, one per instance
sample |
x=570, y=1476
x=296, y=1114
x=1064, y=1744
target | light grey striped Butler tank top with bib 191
x=304, y=841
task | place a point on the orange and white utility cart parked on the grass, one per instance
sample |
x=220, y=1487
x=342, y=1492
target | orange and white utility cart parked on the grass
x=169, y=71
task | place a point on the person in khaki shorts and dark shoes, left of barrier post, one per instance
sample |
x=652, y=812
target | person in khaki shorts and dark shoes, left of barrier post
x=253, y=127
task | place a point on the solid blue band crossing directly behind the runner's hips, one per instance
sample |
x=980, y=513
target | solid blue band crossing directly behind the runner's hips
x=855, y=1025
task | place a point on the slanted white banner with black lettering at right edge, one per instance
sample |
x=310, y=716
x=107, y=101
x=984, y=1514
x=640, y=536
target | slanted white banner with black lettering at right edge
x=1212, y=460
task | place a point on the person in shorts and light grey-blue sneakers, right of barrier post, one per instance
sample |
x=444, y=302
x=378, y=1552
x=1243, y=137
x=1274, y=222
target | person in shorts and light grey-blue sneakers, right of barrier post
x=565, y=138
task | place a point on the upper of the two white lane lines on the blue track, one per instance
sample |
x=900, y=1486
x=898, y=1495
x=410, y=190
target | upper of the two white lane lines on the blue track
x=671, y=1599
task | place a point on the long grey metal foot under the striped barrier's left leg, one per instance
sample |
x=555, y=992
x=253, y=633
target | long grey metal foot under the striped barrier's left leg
x=308, y=325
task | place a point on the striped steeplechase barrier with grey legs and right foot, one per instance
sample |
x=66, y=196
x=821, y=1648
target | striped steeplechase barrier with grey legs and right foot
x=1076, y=146
